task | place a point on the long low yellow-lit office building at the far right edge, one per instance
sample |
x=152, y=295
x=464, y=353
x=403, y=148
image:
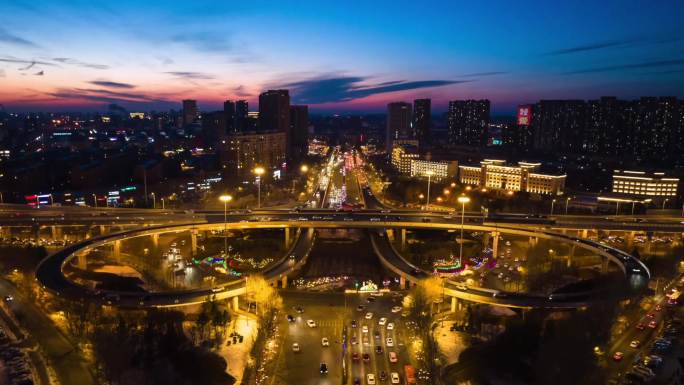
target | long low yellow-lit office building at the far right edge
x=643, y=184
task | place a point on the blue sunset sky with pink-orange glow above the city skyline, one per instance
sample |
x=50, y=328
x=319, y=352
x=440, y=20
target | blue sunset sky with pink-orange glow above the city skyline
x=342, y=56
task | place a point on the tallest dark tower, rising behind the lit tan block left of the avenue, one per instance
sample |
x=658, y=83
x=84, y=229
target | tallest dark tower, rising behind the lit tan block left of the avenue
x=274, y=114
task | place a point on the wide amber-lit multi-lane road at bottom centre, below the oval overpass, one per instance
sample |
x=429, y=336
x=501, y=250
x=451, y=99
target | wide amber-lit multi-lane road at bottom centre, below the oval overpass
x=332, y=312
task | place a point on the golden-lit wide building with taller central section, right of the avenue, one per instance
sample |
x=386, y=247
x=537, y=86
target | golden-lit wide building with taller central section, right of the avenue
x=497, y=175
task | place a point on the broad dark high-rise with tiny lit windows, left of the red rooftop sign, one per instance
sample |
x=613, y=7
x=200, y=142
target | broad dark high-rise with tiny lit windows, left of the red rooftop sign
x=468, y=121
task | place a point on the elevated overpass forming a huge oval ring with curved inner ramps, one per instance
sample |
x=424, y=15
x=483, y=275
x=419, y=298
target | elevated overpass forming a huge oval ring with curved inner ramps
x=50, y=274
